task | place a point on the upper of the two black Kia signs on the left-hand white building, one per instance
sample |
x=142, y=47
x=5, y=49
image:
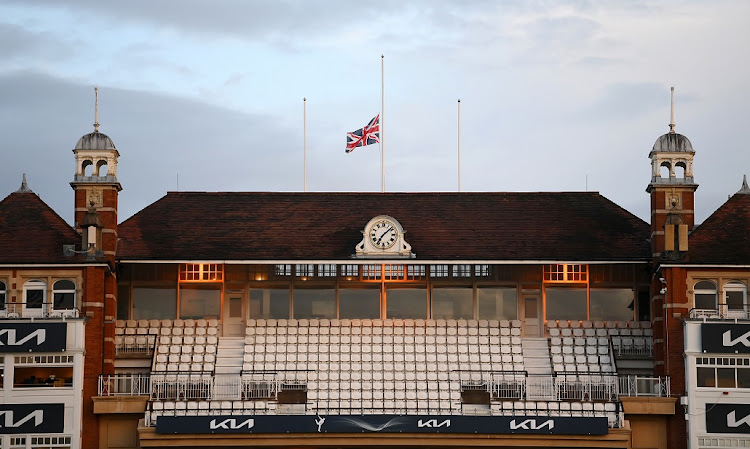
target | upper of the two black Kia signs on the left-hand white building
x=32, y=337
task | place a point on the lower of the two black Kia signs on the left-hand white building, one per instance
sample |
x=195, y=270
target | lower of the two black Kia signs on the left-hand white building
x=31, y=418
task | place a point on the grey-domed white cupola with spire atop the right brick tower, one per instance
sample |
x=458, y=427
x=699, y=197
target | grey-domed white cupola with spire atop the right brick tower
x=671, y=157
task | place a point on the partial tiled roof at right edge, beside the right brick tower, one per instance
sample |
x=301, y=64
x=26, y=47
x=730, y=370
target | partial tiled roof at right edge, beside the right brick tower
x=724, y=238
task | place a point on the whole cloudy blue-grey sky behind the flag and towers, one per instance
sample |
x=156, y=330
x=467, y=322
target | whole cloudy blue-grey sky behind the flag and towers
x=555, y=96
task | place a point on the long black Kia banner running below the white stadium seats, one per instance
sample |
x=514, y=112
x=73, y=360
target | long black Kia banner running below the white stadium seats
x=381, y=424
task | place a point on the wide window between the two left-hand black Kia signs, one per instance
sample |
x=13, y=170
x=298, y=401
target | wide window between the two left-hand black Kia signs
x=33, y=371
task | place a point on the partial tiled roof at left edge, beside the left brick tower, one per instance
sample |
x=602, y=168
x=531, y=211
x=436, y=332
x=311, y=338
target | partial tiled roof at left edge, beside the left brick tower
x=32, y=233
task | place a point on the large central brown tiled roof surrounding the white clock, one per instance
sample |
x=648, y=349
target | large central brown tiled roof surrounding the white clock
x=439, y=226
